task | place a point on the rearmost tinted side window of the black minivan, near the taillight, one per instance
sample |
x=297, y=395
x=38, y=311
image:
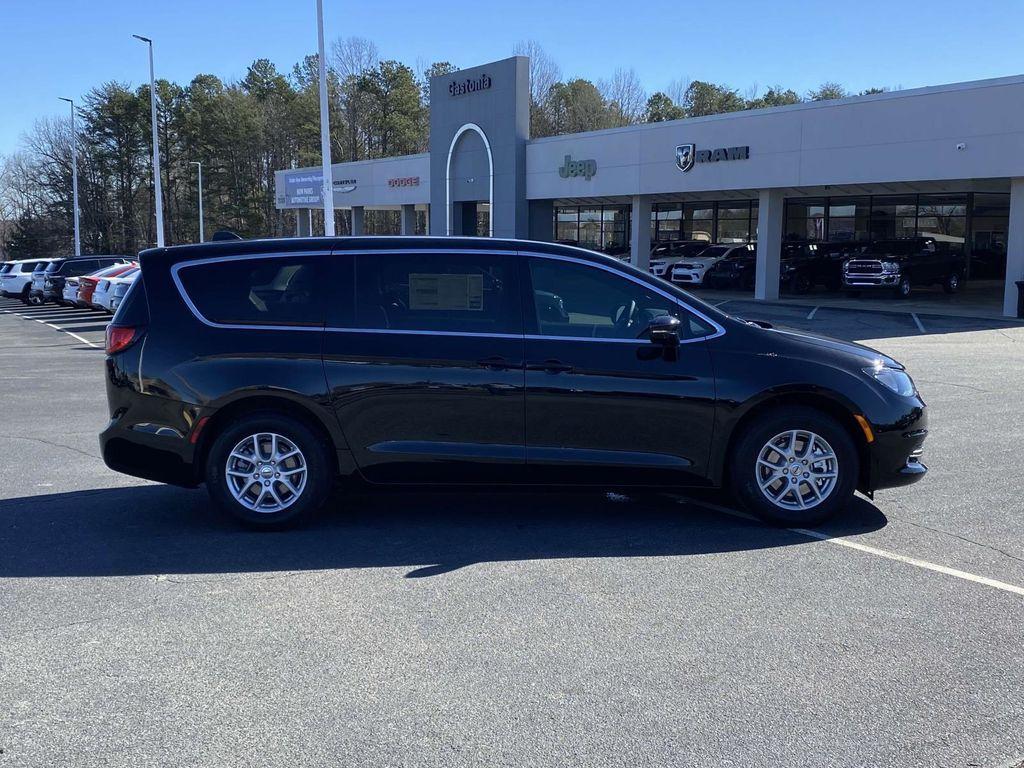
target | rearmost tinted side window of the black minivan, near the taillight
x=275, y=291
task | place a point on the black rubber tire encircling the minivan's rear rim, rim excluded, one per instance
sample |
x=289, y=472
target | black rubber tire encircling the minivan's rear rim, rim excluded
x=316, y=451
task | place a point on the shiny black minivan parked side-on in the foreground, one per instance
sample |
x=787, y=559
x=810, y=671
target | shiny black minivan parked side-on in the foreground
x=270, y=369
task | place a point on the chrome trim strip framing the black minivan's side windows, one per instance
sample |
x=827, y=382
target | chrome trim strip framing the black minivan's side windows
x=177, y=269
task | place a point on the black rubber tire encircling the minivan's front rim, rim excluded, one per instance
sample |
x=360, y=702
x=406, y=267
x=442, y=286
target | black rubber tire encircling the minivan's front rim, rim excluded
x=744, y=466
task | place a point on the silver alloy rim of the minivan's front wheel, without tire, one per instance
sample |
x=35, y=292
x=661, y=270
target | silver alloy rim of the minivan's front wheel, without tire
x=797, y=471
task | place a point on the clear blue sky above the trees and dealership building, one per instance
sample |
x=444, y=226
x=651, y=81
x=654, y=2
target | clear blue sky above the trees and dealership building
x=50, y=49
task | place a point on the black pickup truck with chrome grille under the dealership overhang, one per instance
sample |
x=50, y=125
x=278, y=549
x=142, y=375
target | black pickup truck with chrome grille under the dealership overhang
x=899, y=266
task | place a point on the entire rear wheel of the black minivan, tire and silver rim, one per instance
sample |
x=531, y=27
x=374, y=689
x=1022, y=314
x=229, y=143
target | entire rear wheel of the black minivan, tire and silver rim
x=269, y=471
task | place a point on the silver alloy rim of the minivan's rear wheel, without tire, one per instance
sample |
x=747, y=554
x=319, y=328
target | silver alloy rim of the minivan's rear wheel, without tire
x=267, y=473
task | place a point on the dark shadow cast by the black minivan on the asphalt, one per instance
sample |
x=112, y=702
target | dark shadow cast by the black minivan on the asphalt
x=157, y=530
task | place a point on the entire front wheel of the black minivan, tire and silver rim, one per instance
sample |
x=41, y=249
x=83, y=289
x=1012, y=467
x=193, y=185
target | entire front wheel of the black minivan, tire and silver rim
x=795, y=466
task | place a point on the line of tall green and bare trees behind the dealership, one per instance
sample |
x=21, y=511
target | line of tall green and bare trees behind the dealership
x=243, y=132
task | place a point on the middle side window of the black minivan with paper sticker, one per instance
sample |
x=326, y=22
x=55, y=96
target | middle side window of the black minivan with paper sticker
x=449, y=292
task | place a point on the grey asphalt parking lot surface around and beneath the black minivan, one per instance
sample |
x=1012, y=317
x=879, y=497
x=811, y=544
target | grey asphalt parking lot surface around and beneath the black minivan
x=522, y=629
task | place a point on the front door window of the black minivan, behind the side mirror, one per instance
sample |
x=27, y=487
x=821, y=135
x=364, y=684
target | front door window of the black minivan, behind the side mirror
x=580, y=302
